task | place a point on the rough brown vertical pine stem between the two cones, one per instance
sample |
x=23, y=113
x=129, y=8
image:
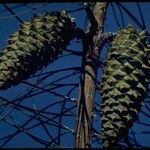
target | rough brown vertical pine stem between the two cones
x=87, y=85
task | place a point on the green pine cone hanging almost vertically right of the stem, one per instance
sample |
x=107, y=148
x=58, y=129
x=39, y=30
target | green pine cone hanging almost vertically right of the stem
x=124, y=84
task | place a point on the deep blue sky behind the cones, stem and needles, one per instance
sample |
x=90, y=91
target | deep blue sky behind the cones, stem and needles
x=55, y=124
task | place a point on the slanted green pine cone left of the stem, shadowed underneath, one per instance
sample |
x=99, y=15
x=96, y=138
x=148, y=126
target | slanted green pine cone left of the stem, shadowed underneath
x=36, y=44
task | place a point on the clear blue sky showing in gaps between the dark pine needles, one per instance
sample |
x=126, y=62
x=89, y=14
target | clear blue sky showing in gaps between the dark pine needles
x=19, y=115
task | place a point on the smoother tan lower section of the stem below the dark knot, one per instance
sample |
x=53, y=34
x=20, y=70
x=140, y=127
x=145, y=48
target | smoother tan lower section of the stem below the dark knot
x=85, y=110
